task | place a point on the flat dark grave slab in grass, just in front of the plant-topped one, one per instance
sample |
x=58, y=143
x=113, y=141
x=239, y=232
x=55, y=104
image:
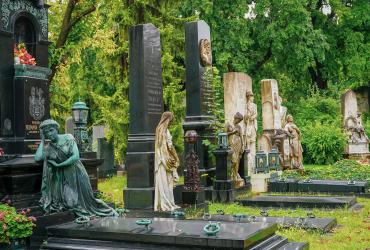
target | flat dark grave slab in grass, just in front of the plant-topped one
x=298, y=201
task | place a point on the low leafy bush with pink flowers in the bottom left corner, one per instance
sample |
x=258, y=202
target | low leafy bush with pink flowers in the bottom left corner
x=14, y=225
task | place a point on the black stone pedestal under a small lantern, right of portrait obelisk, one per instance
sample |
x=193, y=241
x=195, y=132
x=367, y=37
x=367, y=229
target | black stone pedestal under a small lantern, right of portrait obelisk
x=223, y=187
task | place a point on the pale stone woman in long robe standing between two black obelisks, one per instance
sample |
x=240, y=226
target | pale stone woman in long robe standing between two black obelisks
x=165, y=166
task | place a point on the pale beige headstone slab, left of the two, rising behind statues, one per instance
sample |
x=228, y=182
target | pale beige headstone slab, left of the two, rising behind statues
x=236, y=84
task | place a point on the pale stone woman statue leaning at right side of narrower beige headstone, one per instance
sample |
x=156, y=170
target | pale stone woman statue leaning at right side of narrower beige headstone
x=296, y=150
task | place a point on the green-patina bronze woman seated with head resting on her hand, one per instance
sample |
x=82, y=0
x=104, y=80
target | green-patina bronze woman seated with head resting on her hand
x=65, y=183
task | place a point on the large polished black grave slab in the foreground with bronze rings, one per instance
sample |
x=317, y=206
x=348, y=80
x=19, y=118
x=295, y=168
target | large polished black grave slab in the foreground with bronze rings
x=165, y=231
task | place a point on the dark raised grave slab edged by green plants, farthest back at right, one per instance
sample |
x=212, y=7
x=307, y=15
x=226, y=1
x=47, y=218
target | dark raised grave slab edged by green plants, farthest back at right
x=318, y=186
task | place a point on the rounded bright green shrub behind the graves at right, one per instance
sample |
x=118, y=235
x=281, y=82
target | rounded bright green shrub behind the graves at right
x=322, y=143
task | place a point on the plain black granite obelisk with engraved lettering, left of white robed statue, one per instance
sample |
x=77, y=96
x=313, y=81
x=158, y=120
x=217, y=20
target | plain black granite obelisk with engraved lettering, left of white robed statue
x=146, y=108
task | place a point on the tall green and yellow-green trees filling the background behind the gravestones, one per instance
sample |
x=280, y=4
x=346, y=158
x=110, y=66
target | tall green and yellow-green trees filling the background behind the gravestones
x=303, y=44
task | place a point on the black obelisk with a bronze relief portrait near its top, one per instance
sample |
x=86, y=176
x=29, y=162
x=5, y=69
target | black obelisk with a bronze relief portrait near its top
x=199, y=95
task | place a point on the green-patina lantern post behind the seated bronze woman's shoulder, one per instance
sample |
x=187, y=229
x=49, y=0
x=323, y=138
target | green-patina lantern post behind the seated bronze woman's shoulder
x=79, y=113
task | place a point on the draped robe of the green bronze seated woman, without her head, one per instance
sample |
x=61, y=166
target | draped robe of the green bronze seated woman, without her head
x=68, y=187
